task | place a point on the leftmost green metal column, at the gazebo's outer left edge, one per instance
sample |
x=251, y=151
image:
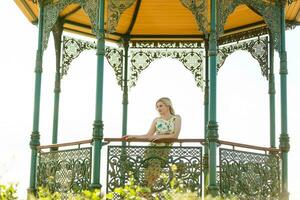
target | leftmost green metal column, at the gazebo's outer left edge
x=35, y=136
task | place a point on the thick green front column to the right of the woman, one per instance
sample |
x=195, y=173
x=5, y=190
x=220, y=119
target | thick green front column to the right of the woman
x=212, y=134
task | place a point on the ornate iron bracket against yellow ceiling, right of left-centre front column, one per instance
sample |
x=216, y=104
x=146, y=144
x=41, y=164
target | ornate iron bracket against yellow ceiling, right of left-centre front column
x=115, y=10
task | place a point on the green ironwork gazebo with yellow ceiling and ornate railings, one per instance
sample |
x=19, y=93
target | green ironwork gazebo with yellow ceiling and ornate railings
x=200, y=34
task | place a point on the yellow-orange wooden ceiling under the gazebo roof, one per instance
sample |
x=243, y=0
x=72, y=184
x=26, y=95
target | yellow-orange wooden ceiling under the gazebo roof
x=157, y=17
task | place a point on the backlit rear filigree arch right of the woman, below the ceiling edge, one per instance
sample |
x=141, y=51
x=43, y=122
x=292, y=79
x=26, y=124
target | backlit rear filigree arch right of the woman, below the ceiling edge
x=258, y=48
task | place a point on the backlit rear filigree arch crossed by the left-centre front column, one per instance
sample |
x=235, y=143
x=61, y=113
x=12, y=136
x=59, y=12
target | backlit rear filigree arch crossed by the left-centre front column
x=73, y=47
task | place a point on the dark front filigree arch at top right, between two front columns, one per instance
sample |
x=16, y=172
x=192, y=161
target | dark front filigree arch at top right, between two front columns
x=270, y=11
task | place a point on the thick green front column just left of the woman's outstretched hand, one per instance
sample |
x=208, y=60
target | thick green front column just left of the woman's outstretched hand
x=98, y=123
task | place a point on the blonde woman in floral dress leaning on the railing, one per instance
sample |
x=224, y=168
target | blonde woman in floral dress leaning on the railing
x=166, y=126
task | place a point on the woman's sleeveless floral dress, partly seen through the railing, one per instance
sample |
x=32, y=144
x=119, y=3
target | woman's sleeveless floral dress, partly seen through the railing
x=156, y=156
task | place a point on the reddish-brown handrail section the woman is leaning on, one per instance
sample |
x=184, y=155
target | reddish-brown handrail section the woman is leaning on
x=168, y=140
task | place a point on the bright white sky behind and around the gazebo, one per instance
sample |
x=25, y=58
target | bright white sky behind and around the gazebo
x=242, y=99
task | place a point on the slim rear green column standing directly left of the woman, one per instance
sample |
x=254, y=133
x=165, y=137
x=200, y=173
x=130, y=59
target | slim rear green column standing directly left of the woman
x=125, y=88
